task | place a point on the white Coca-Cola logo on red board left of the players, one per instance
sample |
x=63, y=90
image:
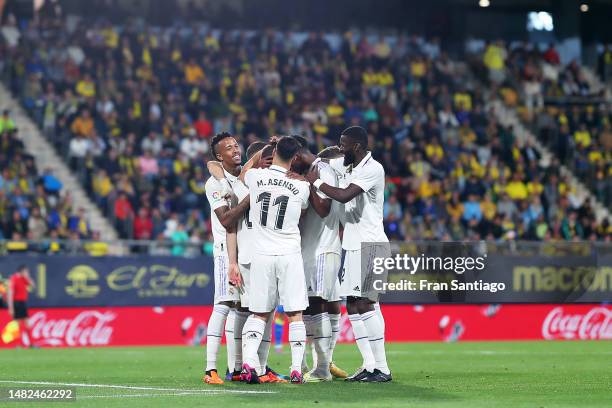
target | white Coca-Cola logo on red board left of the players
x=88, y=328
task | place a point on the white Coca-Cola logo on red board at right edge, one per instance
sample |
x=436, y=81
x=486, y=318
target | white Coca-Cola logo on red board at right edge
x=592, y=325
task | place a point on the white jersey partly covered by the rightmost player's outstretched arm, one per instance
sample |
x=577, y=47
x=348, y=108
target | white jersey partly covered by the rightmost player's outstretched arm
x=321, y=235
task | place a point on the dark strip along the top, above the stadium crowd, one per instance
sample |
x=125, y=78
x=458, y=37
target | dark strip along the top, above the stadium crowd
x=451, y=20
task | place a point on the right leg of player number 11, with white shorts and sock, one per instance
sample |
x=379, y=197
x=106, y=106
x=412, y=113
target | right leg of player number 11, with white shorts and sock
x=294, y=298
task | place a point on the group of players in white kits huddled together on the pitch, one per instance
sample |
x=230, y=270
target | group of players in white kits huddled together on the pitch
x=276, y=224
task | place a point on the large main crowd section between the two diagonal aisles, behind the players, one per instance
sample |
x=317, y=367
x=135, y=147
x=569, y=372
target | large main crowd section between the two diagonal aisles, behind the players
x=133, y=108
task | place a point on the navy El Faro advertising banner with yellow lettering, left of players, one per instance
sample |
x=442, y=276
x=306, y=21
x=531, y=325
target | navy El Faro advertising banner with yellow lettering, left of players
x=118, y=281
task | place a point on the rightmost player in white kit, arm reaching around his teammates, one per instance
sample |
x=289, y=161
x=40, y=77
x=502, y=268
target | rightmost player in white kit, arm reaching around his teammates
x=362, y=194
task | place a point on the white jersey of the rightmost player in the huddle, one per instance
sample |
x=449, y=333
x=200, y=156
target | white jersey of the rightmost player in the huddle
x=363, y=215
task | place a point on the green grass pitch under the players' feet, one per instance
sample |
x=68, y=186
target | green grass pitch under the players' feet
x=478, y=374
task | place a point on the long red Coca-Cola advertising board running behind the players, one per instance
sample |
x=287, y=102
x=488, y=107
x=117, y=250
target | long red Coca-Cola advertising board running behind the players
x=186, y=325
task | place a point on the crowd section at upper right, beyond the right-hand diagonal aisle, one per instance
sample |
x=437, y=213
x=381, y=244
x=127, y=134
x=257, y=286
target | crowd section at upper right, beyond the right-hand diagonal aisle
x=571, y=117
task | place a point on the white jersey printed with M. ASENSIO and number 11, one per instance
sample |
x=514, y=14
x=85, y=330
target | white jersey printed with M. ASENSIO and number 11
x=276, y=206
